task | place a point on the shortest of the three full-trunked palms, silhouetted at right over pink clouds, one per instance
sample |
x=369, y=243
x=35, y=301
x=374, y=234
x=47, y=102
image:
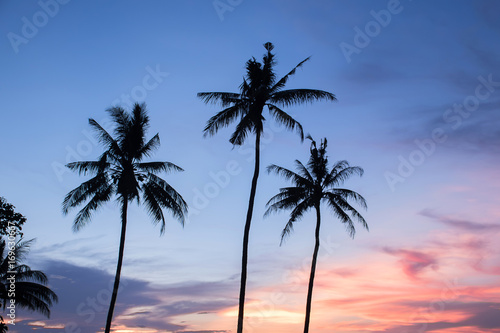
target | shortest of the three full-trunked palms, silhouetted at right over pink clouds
x=313, y=184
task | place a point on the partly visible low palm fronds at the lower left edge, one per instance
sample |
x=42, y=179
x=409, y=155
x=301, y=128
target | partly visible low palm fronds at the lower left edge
x=30, y=290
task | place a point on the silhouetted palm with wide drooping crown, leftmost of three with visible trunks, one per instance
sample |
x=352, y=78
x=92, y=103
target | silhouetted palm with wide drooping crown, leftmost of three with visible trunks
x=120, y=172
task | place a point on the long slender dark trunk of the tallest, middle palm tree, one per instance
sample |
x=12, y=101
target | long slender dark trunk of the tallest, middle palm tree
x=244, y=257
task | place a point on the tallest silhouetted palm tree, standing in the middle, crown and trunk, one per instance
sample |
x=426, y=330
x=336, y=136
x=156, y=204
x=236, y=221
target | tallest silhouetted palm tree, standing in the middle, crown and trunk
x=259, y=89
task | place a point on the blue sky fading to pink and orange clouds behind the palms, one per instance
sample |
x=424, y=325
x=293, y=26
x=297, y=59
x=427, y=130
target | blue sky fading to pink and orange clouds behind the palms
x=418, y=89
